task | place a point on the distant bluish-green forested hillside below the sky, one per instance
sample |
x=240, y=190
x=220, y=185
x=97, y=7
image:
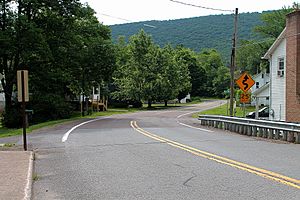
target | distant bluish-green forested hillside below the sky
x=214, y=31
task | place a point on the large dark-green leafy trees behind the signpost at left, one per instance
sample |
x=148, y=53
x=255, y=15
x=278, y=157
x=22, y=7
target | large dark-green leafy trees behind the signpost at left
x=54, y=40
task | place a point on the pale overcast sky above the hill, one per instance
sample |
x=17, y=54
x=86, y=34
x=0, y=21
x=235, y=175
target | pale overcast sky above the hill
x=108, y=11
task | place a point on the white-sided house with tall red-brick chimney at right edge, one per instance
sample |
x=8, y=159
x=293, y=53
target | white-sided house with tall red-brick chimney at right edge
x=284, y=59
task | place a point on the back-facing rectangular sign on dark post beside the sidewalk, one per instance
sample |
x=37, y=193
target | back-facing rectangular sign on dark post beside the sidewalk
x=23, y=97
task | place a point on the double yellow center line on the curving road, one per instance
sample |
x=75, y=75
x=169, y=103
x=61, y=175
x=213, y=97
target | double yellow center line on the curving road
x=223, y=160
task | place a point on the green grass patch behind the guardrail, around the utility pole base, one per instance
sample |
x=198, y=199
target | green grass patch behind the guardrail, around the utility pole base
x=222, y=110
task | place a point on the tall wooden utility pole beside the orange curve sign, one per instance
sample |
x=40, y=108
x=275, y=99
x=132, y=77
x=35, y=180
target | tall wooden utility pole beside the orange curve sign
x=233, y=62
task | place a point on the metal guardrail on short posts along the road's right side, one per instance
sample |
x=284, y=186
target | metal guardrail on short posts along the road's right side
x=252, y=127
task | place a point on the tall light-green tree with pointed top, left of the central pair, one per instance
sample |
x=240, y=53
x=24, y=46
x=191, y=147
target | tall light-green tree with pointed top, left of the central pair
x=137, y=79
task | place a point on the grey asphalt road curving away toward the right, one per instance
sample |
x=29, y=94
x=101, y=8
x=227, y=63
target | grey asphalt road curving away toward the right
x=161, y=155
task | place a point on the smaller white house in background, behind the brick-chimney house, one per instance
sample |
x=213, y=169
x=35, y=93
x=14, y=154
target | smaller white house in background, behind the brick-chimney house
x=261, y=88
